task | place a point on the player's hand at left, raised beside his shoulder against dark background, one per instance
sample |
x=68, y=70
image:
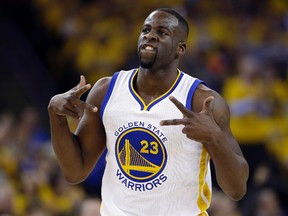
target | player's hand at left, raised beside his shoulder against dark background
x=69, y=103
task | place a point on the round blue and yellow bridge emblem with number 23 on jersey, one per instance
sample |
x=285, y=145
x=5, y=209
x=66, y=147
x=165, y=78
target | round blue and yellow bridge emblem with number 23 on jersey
x=140, y=154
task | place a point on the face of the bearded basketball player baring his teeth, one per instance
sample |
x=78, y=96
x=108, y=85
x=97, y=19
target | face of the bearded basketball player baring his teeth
x=158, y=40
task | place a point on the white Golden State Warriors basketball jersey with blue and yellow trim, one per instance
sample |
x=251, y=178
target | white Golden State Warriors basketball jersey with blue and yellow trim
x=151, y=170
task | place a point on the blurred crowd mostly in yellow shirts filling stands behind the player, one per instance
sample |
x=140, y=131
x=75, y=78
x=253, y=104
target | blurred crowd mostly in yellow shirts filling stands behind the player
x=238, y=47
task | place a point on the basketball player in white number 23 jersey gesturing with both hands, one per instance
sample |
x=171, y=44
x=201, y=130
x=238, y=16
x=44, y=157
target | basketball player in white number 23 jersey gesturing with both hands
x=160, y=127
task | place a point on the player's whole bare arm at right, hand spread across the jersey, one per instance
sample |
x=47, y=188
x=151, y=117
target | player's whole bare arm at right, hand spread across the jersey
x=211, y=127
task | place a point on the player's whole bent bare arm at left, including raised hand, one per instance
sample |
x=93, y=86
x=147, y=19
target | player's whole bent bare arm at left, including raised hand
x=77, y=153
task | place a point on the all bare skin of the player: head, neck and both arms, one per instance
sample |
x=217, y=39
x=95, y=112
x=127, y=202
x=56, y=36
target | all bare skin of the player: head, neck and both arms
x=161, y=44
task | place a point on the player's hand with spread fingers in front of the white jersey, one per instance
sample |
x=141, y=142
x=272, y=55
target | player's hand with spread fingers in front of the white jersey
x=197, y=126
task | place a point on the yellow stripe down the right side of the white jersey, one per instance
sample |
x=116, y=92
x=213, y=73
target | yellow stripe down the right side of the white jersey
x=204, y=192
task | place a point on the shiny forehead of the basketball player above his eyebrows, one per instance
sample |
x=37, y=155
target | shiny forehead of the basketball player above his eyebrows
x=161, y=18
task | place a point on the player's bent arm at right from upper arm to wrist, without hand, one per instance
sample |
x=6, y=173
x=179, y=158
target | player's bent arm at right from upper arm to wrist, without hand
x=230, y=165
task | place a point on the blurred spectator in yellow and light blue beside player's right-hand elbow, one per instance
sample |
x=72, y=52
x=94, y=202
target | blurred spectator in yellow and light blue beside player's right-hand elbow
x=257, y=98
